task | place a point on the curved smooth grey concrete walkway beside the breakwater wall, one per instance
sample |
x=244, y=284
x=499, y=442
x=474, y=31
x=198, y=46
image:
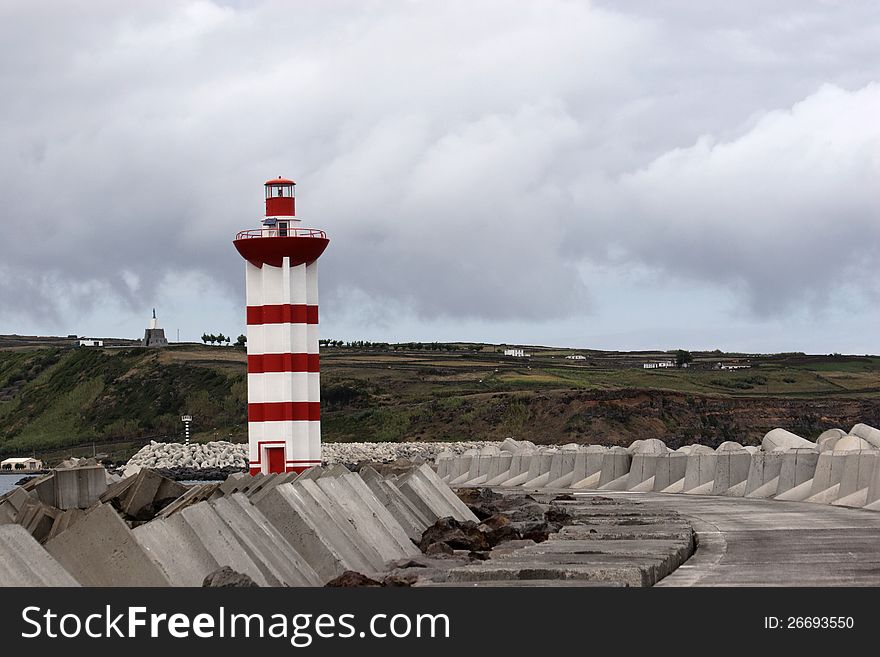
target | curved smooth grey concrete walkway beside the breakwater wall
x=746, y=542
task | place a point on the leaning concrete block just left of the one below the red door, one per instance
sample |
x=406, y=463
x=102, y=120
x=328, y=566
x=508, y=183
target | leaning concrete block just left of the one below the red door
x=274, y=556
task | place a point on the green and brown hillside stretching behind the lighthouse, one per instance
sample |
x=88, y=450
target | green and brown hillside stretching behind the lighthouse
x=57, y=397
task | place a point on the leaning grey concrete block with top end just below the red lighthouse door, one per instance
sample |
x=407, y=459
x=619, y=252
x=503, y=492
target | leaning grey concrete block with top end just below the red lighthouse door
x=306, y=528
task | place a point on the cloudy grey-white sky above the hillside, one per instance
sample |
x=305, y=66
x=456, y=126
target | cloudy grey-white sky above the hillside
x=625, y=175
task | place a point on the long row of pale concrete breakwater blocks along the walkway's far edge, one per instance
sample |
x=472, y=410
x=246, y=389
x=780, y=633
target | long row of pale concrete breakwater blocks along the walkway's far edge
x=840, y=468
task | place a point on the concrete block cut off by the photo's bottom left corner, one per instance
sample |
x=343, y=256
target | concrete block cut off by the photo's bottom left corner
x=23, y=562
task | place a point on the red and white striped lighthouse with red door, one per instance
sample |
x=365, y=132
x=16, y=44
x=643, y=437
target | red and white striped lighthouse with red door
x=281, y=274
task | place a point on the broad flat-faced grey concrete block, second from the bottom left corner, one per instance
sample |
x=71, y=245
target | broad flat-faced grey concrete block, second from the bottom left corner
x=99, y=550
